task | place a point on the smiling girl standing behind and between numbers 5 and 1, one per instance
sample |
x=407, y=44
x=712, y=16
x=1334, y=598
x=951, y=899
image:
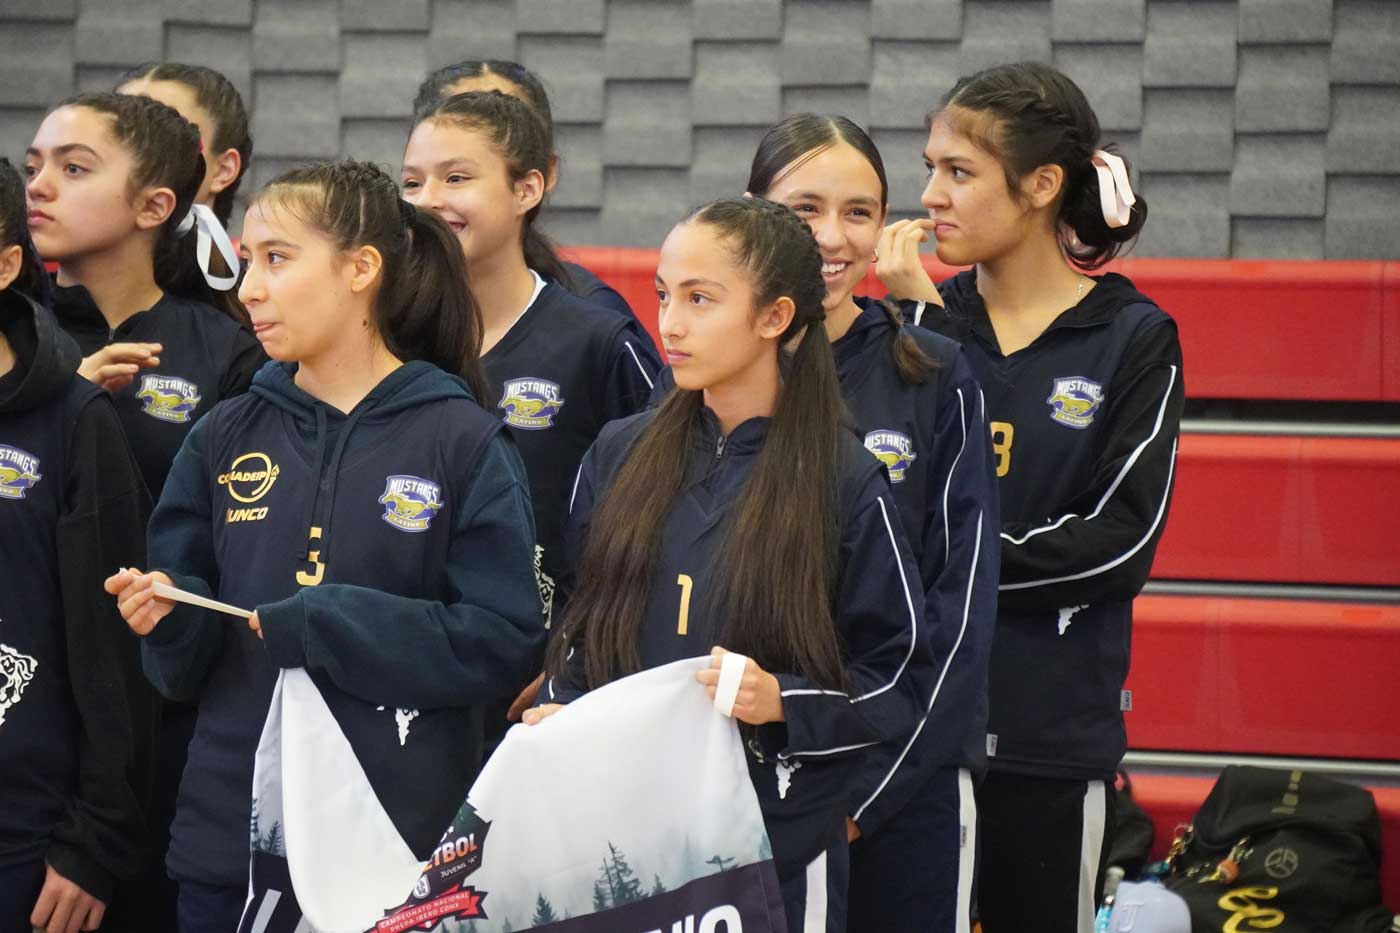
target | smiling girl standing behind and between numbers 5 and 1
x=556, y=366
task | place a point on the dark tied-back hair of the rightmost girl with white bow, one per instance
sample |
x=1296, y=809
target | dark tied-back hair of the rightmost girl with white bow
x=1039, y=117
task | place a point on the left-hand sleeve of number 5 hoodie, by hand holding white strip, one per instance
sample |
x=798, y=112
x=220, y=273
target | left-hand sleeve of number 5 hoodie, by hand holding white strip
x=183, y=648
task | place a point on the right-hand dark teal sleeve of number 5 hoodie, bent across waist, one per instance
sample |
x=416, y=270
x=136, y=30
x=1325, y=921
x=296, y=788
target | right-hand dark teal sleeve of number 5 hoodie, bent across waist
x=479, y=645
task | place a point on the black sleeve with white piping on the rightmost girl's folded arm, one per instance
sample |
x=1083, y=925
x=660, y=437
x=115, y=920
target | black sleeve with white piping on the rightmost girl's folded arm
x=1102, y=547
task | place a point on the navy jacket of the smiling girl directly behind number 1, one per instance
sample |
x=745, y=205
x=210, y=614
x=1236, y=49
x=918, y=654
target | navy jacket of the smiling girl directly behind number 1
x=934, y=443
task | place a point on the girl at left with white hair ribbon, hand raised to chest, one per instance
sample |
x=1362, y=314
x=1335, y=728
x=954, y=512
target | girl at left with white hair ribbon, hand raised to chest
x=111, y=179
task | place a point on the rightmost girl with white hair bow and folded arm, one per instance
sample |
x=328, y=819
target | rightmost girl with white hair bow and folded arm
x=1084, y=393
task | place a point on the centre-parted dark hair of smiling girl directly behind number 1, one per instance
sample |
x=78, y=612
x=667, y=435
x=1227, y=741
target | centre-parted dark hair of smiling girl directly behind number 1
x=792, y=144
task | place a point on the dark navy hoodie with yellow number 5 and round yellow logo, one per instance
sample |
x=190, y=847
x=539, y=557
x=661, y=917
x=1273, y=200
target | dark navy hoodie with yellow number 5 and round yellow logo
x=387, y=551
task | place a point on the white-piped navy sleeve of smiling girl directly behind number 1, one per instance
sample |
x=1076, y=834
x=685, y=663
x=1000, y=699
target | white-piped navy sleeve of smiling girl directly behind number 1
x=960, y=572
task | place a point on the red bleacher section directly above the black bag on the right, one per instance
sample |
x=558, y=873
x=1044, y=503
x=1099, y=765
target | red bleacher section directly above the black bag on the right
x=1265, y=677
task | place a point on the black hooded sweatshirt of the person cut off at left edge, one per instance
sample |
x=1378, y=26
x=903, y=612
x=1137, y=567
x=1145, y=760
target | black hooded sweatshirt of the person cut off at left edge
x=76, y=718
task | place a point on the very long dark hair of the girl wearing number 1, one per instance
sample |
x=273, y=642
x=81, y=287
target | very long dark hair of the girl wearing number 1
x=779, y=561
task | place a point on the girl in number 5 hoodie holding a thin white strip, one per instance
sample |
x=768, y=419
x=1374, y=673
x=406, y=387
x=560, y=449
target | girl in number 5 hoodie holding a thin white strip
x=367, y=509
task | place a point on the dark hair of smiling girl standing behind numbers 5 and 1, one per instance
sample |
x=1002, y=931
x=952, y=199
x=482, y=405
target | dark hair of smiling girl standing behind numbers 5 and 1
x=519, y=135
